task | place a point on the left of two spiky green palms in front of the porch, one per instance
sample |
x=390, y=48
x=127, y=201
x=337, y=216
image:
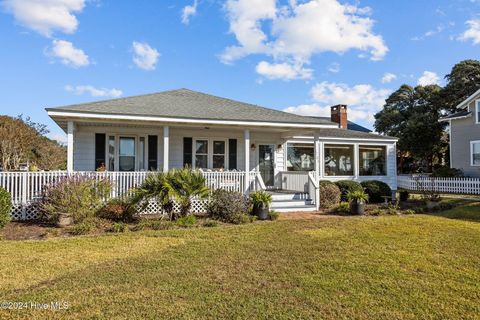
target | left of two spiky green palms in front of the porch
x=156, y=187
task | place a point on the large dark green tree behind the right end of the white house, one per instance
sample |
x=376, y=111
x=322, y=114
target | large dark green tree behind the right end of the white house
x=412, y=114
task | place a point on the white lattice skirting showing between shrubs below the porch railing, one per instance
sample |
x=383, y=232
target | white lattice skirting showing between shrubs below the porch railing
x=32, y=210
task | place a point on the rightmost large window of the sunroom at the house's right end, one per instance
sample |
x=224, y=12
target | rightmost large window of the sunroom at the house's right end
x=373, y=160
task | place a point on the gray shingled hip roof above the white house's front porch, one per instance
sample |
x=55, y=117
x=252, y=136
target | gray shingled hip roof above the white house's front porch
x=184, y=103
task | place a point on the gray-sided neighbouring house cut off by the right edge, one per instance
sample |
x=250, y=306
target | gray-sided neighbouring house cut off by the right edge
x=465, y=136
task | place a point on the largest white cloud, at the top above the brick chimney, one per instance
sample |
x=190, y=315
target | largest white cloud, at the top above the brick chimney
x=299, y=30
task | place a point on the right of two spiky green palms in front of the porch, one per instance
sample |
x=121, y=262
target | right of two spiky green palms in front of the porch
x=187, y=184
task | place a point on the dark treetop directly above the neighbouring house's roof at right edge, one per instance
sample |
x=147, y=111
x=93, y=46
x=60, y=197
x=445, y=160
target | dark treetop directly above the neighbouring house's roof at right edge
x=463, y=81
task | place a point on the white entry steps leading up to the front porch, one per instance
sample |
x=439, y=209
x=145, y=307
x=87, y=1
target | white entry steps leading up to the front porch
x=290, y=201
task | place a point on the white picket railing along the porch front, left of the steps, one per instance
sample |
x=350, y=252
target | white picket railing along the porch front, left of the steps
x=26, y=188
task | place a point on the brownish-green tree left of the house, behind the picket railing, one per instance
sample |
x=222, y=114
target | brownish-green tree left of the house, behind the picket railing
x=22, y=140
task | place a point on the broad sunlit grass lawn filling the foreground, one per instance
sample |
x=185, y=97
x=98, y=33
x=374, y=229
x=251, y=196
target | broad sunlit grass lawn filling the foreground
x=394, y=267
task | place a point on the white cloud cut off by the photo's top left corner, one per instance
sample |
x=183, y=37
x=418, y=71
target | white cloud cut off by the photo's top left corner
x=46, y=16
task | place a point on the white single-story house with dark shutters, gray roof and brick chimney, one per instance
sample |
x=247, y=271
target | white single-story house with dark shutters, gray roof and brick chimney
x=178, y=128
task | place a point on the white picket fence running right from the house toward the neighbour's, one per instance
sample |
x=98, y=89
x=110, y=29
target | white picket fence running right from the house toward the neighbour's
x=441, y=185
